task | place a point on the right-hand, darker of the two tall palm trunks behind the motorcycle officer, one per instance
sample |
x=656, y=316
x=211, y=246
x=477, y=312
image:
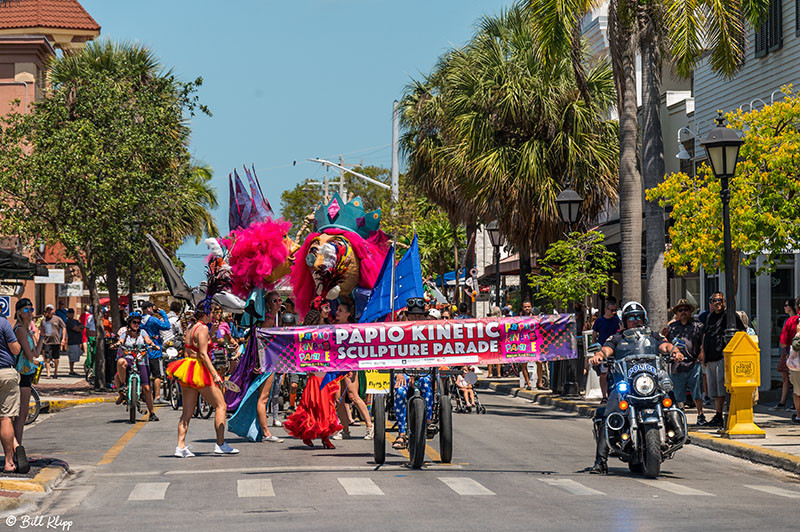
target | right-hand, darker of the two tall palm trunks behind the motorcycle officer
x=652, y=175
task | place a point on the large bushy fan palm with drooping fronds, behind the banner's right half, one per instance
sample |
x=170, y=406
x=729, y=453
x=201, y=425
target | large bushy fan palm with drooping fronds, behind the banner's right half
x=505, y=135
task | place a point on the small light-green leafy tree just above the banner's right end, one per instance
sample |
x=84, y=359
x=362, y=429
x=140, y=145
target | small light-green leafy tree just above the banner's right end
x=574, y=269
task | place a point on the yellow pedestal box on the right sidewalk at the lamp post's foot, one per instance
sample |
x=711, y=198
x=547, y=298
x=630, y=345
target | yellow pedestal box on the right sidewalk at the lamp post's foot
x=742, y=378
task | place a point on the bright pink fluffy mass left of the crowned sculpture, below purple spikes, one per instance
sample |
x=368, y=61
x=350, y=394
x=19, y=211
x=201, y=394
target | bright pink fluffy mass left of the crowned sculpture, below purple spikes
x=255, y=253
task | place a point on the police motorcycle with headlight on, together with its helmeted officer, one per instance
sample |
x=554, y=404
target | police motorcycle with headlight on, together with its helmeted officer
x=641, y=424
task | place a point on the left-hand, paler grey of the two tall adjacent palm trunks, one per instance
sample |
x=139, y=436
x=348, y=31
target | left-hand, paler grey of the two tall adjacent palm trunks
x=623, y=60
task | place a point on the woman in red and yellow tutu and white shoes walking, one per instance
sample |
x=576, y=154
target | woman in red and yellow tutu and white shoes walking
x=197, y=375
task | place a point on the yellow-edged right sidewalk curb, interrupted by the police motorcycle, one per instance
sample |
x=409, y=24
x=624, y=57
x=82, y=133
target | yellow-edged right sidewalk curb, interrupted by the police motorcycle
x=739, y=449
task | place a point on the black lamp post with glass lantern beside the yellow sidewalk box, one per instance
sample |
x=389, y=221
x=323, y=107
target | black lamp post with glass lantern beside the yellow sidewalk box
x=722, y=146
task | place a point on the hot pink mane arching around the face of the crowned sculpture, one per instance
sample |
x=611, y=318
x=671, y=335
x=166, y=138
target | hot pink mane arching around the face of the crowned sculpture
x=370, y=252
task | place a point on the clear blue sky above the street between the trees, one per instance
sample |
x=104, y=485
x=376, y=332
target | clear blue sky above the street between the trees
x=288, y=80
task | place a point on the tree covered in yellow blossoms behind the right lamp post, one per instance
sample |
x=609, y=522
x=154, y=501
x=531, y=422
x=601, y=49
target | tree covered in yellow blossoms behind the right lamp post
x=765, y=195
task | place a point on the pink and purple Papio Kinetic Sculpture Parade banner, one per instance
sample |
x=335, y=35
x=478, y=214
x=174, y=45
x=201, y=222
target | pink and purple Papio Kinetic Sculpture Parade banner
x=420, y=343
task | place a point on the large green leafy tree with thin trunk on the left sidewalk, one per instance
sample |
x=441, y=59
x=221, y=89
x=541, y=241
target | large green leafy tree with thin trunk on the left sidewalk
x=99, y=159
